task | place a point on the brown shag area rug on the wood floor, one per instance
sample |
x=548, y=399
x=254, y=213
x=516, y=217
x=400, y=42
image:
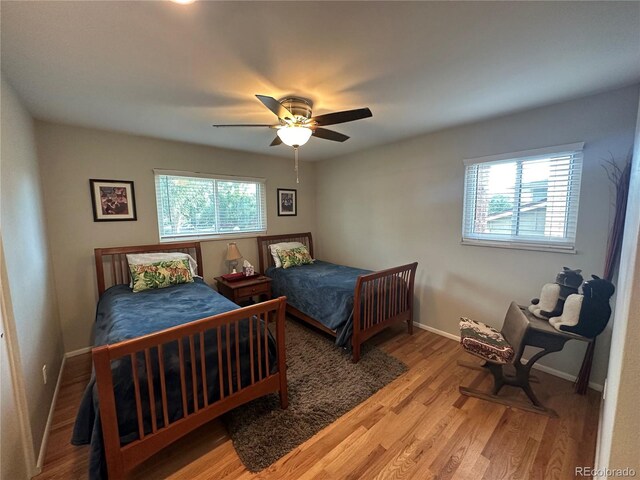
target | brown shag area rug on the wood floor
x=323, y=385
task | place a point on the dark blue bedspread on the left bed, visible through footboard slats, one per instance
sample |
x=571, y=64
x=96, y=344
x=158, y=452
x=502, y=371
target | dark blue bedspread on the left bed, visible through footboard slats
x=123, y=315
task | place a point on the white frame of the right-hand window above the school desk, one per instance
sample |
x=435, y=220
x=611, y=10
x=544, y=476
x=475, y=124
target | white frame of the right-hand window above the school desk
x=524, y=242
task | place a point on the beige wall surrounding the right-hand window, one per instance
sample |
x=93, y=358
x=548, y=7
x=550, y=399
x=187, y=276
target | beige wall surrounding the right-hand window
x=403, y=202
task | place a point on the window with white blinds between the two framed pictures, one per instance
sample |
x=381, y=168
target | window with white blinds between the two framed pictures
x=195, y=205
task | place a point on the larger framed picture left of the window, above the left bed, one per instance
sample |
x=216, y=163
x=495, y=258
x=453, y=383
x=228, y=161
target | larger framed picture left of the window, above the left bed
x=112, y=200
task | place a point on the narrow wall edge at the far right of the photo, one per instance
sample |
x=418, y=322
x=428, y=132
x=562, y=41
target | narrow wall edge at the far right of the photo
x=620, y=423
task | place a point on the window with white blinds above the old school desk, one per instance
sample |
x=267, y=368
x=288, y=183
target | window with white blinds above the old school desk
x=524, y=199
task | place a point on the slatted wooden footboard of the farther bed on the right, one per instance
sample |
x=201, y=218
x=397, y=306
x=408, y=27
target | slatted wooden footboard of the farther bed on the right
x=384, y=297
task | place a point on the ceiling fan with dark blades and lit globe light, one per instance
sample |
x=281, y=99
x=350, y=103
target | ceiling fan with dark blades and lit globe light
x=296, y=124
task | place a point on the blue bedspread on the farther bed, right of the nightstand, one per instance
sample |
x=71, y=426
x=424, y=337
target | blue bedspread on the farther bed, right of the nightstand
x=322, y=290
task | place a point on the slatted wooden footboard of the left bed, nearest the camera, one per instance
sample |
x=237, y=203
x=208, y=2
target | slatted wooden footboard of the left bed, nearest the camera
x=155, y=427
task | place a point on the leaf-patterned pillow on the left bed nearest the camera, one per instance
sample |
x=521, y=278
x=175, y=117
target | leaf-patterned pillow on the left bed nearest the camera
x=147, y=276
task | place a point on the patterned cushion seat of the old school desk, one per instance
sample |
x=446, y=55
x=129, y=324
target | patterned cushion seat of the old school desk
x=484, y=342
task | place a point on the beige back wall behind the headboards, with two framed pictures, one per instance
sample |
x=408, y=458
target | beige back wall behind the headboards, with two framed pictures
x=70, y=156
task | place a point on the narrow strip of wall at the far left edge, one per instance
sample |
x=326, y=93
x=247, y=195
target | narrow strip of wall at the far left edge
x=29, y=291
